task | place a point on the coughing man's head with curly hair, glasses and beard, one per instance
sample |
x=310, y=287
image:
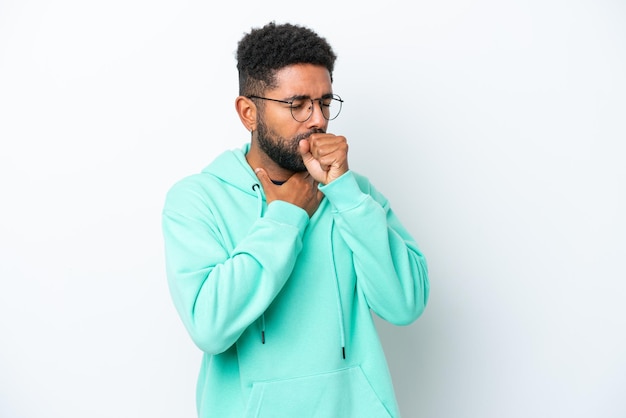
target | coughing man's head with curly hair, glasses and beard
x=285, y=87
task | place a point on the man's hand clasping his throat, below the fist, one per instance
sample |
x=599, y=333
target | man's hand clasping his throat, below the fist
x=300, y=189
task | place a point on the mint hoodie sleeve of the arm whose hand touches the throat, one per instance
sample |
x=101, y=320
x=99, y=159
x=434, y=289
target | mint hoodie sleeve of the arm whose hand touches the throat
x=218, y=293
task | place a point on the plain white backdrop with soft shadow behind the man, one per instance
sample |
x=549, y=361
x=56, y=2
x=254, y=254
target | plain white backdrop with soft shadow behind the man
x=496, y=129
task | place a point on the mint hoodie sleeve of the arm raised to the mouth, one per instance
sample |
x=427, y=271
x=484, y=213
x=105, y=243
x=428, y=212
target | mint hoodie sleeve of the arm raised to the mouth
x=391, y=271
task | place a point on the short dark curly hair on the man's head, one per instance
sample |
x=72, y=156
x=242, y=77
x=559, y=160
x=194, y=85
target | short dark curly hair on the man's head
x=266, y=50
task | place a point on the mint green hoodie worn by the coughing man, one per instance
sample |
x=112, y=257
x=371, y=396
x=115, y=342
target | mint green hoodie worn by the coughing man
x=280, y=303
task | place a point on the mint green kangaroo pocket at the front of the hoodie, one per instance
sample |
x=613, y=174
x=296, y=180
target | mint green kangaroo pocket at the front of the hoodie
x=343, y=393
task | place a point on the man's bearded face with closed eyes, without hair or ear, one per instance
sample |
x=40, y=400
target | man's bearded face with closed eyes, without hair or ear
x=278, y=133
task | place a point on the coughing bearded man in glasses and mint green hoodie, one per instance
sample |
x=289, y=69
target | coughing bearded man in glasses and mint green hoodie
x=277, y=252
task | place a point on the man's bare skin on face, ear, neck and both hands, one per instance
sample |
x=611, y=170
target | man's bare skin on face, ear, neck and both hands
x=325, y=155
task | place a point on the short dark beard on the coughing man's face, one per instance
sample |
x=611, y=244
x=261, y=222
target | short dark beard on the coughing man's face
x=283, y=151
